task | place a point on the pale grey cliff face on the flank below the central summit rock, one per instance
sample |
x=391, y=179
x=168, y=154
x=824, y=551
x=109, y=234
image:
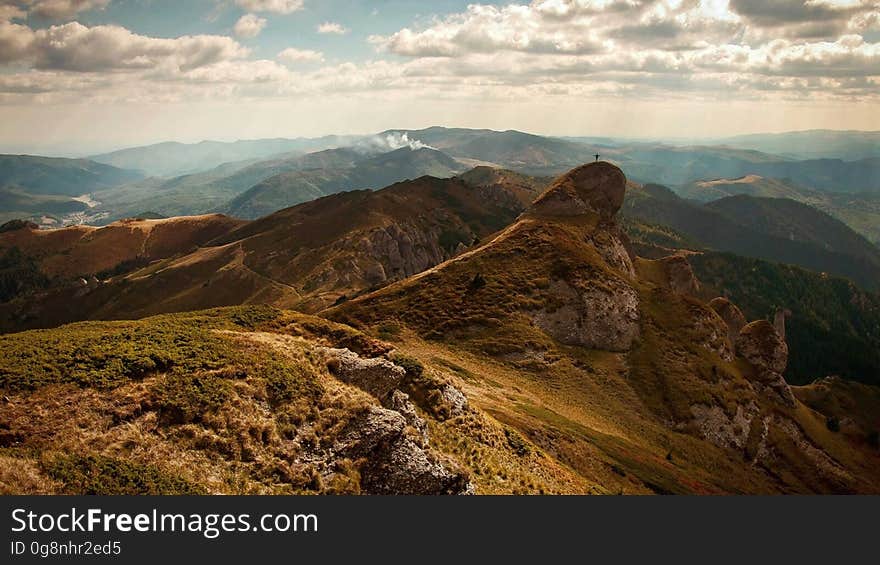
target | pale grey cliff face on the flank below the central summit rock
x=599, y=316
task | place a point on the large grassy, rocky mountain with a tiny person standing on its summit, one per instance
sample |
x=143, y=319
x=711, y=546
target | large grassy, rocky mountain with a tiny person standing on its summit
x=605, y=362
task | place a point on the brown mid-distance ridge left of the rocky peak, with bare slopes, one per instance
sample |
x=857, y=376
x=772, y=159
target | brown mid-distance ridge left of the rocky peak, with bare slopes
x=309, y=255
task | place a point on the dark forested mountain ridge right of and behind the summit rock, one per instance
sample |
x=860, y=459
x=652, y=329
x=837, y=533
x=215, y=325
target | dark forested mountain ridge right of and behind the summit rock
x=777, y=230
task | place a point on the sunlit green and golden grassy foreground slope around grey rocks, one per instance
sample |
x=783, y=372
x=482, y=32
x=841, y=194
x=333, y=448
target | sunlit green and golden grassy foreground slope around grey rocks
x=220, y=401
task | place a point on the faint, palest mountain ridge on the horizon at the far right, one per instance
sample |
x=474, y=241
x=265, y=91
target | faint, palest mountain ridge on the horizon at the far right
x=812, y=144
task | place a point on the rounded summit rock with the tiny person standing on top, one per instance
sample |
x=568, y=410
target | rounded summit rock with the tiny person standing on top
x=595, y=187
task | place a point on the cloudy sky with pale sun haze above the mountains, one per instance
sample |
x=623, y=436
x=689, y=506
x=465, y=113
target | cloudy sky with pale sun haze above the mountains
x=84, y=76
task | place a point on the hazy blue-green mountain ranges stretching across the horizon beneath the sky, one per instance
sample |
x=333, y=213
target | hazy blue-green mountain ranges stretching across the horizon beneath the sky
x=250, y=179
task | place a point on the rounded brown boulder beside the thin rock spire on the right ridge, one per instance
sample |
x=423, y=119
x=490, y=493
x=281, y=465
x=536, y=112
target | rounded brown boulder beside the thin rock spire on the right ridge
x=762, y=346
